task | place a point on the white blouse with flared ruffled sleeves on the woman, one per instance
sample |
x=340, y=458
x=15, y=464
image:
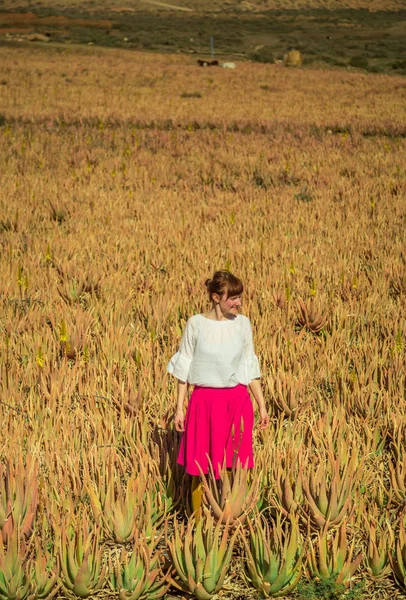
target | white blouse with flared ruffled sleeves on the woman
x=216, y=353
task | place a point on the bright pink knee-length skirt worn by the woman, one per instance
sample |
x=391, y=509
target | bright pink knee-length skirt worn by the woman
x=218, y=426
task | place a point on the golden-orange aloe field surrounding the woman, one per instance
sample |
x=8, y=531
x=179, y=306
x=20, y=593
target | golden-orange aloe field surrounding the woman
x=127, y=179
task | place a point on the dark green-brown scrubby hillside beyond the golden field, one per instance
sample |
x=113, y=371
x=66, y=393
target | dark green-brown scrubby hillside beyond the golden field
x=327, y=32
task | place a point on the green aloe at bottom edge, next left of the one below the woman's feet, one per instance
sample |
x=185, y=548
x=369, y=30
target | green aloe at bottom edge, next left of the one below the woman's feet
x=137, y=575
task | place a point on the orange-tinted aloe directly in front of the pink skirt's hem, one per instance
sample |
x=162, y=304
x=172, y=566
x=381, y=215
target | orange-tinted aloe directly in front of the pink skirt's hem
x=233, y=496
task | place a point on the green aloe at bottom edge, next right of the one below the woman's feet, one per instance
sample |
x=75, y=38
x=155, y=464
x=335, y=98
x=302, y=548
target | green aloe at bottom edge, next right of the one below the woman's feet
x=274, y=555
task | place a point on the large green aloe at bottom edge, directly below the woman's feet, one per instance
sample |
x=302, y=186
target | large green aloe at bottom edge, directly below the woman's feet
x=201, y=555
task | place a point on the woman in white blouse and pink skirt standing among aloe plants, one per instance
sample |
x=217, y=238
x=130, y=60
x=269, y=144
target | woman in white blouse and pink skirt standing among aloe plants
x=217, y=357
